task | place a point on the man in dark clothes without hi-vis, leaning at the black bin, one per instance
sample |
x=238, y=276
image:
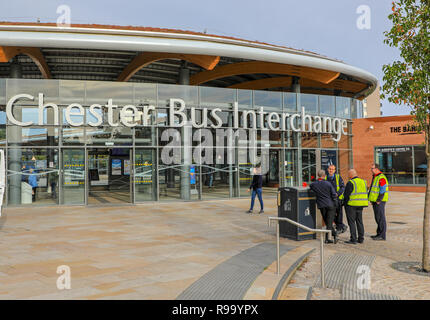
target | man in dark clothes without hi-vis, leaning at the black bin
x=326, y=203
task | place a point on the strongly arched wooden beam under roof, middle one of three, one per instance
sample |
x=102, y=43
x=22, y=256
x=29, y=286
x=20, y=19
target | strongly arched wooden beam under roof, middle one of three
x=146, y=58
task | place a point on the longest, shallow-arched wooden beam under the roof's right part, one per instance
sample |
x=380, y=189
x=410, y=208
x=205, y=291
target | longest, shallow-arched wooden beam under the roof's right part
x=323, y=76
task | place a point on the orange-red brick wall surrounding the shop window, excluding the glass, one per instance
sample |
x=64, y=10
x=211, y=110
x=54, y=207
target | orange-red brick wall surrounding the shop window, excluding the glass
x=365, y=139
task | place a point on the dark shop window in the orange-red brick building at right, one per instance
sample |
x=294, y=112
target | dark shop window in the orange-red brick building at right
x=403, y=165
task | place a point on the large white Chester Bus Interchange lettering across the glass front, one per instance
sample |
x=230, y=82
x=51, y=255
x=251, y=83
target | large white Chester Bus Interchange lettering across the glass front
x=131, y=116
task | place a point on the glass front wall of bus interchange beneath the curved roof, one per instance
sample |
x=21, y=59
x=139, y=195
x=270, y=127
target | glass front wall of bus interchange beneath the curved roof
x=83, y=154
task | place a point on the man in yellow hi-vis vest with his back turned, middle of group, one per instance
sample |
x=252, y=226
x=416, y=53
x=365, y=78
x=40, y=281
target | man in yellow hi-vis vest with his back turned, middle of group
x=355, y=198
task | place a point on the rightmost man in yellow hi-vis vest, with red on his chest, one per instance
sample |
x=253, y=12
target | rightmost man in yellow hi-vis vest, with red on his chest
x=378, y=197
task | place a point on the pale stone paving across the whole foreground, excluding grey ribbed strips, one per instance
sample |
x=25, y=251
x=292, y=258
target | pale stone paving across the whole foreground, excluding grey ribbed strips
x=158, y=250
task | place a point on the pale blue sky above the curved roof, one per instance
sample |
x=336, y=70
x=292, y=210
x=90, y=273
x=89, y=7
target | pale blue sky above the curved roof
x=325, y=27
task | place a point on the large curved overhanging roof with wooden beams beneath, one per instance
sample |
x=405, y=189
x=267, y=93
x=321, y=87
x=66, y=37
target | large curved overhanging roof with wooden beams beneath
x=118, y=53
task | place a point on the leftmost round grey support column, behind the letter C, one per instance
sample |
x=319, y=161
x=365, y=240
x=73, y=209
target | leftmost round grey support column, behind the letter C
x=14, y=135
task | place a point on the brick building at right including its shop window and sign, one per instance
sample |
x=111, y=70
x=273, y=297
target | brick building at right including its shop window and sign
x=394, y=143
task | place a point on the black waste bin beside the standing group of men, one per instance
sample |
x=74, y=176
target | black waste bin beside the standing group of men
x=297, y=204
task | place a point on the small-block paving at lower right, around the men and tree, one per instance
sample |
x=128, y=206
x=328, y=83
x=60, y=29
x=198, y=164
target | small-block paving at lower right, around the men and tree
x=404, y=243
